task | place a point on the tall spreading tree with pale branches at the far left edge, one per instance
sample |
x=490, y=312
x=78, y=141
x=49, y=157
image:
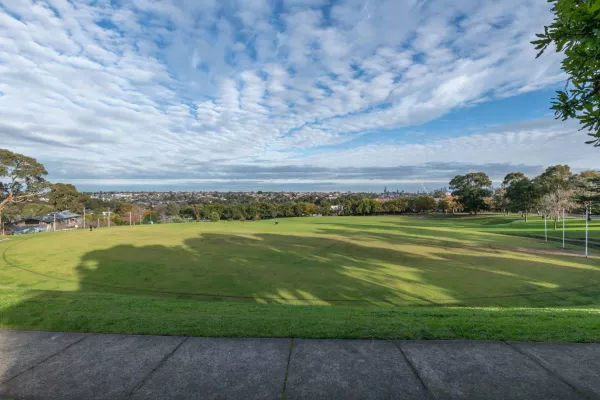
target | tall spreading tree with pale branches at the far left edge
x=21, y=178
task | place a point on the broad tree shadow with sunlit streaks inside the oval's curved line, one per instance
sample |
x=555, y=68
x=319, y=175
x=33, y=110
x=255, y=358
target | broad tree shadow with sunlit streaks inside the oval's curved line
x=348, y=270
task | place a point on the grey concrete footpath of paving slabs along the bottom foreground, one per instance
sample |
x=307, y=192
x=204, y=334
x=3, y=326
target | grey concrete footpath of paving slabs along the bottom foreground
x=47, y=365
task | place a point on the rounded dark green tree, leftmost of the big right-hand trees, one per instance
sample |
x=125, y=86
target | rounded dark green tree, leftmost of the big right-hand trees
x=471, y=190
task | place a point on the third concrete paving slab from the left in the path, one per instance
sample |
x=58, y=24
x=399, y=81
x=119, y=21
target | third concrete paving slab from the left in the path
x=205, y=368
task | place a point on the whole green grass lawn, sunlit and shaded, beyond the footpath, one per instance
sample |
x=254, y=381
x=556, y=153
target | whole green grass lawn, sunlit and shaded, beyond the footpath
x=404, y=277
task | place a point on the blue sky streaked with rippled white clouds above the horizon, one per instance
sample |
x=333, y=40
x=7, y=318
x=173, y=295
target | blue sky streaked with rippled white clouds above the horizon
x=280, y=94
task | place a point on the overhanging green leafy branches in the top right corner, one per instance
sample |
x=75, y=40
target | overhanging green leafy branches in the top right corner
x=575, y=31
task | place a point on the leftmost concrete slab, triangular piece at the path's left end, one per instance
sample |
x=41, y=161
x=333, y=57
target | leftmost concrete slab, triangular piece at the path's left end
x=20, y=350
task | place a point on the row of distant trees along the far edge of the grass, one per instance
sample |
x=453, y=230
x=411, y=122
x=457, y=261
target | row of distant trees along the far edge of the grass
x=548, y=194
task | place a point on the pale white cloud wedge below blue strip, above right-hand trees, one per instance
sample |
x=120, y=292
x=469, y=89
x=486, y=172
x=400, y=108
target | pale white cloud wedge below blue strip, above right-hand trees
x=536, y=143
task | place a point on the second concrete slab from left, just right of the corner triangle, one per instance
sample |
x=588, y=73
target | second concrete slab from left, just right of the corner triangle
x=98, y=367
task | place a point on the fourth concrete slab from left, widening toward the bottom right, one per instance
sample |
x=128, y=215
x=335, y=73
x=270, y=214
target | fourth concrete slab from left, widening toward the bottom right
x=350, y=369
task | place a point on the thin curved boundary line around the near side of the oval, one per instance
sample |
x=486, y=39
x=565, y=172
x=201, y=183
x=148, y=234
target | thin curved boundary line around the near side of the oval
x=200, y=294
